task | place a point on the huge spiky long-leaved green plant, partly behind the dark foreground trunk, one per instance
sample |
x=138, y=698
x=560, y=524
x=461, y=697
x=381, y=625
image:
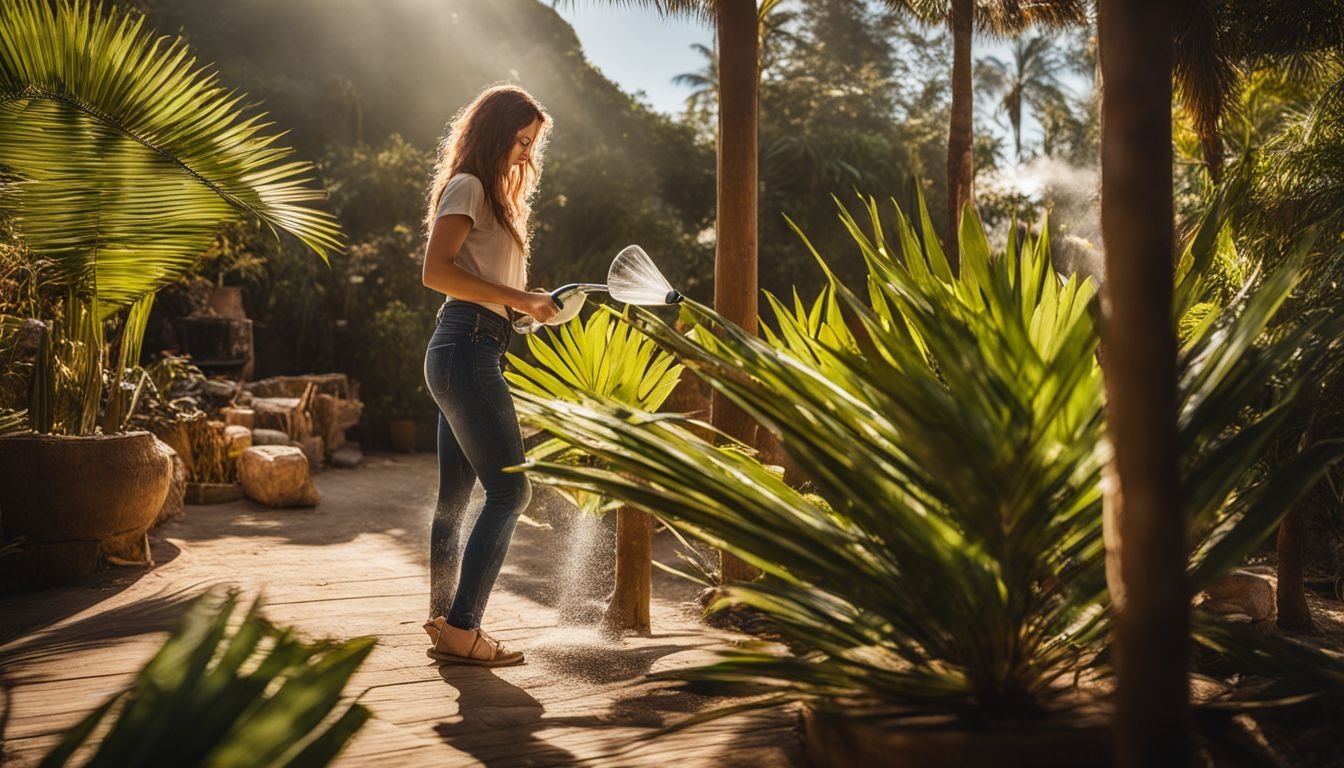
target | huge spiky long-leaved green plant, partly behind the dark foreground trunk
x=954, y=558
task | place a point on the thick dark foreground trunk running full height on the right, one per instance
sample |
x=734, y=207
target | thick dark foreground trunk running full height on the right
x=1152, y=631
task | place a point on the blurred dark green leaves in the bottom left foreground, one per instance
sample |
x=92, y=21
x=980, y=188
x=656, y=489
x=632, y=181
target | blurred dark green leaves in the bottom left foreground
x=216, y=695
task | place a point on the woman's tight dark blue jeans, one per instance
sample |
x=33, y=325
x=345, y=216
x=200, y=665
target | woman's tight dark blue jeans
x=478, y=439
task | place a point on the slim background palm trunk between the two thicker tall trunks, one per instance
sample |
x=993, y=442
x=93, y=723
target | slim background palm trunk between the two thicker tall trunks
x=962, y=169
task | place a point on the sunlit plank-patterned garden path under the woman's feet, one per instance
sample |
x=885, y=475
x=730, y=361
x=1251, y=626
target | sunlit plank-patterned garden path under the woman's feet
x=357, y=566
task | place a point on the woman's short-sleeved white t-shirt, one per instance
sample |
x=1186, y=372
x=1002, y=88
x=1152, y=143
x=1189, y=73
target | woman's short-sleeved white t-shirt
x=490, y=251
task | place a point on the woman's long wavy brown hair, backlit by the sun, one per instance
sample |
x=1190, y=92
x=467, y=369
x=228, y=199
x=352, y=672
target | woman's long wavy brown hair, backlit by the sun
x=479, y=143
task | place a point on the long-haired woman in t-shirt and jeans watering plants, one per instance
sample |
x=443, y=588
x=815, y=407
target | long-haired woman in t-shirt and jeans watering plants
x=478, y=223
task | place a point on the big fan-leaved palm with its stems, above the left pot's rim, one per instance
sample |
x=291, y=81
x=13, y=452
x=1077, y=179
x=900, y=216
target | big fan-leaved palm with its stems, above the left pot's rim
x=124, y=159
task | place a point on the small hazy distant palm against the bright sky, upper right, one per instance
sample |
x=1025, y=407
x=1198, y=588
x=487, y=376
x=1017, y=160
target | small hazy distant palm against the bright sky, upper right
x=1030, y=80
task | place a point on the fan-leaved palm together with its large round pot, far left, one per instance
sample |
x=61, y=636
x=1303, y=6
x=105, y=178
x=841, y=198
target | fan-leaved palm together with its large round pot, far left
x=92, y=161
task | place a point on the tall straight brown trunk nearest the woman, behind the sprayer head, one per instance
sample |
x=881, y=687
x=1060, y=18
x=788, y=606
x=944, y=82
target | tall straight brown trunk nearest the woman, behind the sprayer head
x=736, y=258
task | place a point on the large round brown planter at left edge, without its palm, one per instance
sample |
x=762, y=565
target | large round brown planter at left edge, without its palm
x=79, y=502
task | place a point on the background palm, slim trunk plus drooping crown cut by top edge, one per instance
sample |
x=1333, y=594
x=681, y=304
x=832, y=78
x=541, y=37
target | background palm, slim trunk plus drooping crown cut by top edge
x=966, y=20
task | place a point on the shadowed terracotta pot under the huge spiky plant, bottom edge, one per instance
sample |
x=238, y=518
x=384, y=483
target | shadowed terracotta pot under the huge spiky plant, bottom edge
x=839, y=738
